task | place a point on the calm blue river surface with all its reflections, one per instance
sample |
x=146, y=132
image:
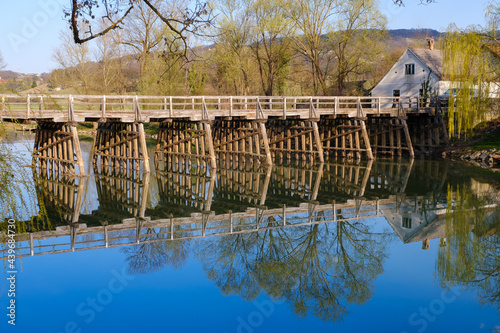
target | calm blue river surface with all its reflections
x=388, y=246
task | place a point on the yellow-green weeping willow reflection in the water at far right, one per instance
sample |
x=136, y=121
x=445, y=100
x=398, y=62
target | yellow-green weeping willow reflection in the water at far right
x=471, y=258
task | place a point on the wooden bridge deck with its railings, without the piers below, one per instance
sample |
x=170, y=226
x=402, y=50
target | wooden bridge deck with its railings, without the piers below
x=128, y=108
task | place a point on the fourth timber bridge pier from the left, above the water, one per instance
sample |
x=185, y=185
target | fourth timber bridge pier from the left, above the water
x=241, y=140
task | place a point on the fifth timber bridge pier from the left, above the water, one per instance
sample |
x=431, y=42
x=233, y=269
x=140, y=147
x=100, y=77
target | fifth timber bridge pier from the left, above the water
x=299, y=138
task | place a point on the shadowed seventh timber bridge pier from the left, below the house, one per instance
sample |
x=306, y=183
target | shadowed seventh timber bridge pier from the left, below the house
x=389, y=136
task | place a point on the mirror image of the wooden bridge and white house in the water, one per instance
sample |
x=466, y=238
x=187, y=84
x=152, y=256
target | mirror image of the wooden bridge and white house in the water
x=195, y=202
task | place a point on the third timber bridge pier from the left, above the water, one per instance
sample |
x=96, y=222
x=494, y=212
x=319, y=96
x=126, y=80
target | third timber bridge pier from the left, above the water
x=179, y=141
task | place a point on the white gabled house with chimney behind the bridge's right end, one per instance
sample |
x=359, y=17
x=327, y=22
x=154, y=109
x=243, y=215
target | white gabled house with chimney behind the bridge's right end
x=412, y=69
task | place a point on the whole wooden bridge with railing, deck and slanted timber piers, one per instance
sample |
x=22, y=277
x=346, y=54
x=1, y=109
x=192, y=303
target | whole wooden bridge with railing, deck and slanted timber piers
x=230, y=128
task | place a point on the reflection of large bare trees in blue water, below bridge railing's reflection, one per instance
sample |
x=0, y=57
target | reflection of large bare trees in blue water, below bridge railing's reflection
x=318, y=269
